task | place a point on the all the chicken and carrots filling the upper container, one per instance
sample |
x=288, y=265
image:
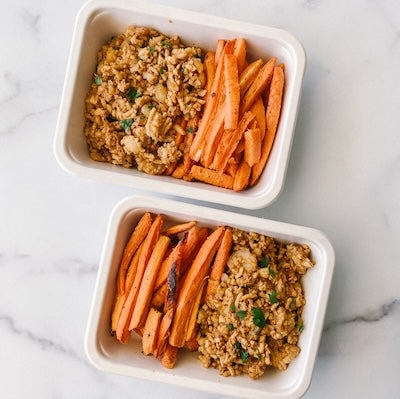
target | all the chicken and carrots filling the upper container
x=168, y=109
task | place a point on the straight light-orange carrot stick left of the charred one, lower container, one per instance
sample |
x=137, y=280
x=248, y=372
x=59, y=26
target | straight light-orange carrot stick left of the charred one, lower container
x=147, y=284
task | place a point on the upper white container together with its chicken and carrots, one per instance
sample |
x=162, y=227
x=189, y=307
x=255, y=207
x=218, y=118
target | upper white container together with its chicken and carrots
x=150, y=103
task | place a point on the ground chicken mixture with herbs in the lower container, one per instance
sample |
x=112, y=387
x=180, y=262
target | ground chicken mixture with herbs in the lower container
x=254, y=320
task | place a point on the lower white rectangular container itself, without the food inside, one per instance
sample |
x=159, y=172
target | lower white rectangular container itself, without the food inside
x=107, y=354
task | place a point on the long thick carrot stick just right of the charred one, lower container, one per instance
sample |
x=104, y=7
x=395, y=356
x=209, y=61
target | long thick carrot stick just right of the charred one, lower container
x=190, y=286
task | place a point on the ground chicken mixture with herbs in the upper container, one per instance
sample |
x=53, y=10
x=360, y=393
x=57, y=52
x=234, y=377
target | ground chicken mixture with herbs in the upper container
x=144, y=82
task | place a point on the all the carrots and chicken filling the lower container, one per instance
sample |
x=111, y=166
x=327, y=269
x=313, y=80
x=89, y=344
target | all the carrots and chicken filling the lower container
x=234, y=296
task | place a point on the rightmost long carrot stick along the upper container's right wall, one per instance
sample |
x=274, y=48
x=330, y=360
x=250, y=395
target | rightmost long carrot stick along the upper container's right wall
x=272, y=119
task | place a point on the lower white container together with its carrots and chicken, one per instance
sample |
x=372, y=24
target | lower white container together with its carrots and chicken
x=196, y=291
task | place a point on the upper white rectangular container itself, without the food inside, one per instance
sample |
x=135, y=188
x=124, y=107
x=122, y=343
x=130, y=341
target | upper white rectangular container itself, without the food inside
x=98, y=20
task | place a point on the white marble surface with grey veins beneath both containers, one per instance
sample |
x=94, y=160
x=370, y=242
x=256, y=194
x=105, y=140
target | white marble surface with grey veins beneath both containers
x=343, y=178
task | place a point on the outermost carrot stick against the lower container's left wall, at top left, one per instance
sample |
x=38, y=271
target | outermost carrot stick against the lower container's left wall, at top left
x=138, y=235
